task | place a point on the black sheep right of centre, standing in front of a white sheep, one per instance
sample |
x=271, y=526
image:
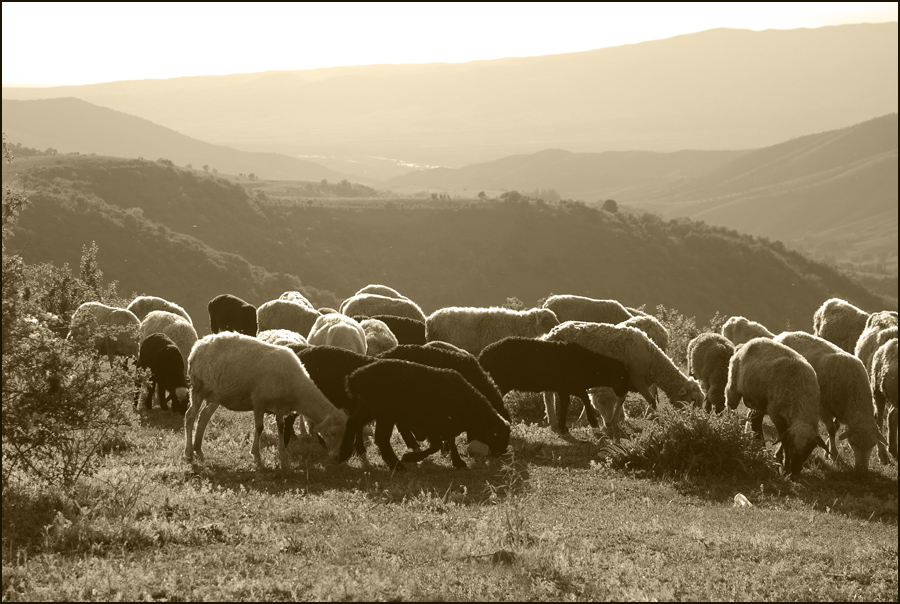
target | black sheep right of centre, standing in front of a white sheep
x=533, y=365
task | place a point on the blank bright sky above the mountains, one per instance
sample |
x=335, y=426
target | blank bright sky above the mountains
x=52, y=44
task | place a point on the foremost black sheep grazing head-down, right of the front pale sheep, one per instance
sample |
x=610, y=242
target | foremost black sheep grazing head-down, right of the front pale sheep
x=437, y=404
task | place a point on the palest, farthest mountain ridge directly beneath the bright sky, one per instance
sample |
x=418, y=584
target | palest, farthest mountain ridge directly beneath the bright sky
x=717, y=89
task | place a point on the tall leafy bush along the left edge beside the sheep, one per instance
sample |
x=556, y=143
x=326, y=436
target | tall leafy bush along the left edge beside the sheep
x=62, y=406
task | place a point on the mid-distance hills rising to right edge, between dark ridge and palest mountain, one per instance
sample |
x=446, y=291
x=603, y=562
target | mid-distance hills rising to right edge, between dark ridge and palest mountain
x=834, y=193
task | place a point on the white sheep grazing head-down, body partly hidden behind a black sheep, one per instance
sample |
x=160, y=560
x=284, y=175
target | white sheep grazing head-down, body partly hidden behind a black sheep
x=646, y=364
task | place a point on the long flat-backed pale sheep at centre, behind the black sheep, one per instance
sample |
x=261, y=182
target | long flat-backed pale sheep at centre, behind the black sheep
x=474, y=328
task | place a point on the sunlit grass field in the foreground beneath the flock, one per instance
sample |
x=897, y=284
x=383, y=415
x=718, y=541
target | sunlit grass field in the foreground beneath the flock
x=554, y=521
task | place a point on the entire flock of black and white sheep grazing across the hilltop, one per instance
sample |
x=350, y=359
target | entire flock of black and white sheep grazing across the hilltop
x=379, y=358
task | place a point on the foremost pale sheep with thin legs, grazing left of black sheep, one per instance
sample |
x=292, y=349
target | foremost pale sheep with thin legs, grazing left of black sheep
x=243, y=374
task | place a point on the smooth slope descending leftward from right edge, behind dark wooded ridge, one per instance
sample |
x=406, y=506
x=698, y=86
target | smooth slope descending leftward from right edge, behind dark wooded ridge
x=833, y=193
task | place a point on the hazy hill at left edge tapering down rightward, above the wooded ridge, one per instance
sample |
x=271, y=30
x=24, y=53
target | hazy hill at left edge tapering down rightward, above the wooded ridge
x=73, y=125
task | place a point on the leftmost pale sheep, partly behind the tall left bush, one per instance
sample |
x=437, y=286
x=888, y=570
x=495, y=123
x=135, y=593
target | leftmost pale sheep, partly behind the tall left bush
x=114, y=331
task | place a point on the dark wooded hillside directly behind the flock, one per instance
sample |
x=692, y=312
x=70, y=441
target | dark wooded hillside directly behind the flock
x=186, y=236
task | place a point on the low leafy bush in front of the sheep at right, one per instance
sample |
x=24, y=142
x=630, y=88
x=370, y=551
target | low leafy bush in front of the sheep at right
x=690, y=443
